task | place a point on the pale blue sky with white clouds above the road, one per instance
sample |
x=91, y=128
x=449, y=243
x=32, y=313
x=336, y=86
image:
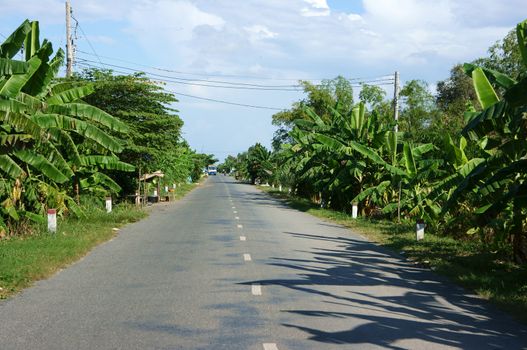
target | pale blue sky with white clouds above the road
x=268, y=42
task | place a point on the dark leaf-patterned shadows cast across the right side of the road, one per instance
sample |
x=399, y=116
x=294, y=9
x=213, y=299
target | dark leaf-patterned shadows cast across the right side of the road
x=387, y=300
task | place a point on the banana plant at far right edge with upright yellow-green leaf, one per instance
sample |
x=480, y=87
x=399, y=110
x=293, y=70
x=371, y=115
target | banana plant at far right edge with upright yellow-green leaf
x=499, y=181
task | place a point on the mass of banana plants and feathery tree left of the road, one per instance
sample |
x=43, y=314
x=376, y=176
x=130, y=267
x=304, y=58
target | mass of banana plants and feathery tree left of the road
x=61, y=139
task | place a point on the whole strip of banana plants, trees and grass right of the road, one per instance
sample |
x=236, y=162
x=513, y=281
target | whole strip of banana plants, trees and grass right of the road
x=456, y=160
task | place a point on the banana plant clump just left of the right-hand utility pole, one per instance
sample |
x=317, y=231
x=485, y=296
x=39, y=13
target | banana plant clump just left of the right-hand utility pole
x=345, y=155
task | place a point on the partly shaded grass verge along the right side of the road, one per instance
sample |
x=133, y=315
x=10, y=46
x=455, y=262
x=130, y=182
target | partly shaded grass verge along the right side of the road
x=466, y=262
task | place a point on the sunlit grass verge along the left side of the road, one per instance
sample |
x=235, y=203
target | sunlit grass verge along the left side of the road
x=26, y=259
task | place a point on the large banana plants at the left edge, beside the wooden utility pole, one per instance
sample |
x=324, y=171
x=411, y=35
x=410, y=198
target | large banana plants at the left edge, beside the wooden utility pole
x=45, y=127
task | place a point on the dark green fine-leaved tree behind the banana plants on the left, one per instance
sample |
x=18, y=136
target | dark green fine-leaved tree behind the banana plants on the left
x=154, y=139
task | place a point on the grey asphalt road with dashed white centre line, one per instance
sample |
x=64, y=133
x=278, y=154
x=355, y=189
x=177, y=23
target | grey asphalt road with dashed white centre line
x=230, y=268
